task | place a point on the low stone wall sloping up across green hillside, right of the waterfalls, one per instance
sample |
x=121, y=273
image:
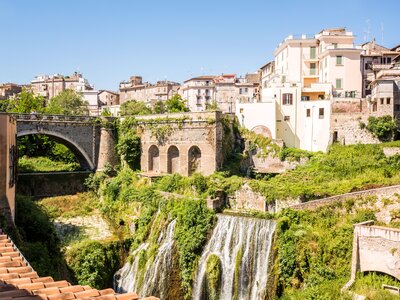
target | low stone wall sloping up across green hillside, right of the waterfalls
x=384, y=192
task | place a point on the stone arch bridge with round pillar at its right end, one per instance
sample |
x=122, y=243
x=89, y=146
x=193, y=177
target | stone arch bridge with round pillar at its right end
x=92, y=144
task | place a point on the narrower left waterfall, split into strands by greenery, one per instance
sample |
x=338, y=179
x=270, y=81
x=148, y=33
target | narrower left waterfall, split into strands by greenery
x=154, y=280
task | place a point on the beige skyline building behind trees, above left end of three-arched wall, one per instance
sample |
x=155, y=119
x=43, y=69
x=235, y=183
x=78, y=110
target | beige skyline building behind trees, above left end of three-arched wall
x=136, y=89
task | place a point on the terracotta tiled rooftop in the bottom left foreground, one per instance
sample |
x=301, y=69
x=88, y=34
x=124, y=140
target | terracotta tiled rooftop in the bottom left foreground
x=19, y=281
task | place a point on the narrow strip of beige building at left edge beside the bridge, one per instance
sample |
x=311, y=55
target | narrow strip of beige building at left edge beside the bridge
x=8, y=165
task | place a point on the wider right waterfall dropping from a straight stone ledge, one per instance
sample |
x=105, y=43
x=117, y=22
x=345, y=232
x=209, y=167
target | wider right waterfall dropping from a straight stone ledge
x=242, y=246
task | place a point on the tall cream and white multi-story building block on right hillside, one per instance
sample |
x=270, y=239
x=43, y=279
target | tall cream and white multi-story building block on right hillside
x=312, y=83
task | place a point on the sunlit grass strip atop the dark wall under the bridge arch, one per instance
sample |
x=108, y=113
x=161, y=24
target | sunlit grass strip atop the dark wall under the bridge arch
x=43, y=164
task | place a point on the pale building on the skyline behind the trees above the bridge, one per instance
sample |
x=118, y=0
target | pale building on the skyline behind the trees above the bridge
x=50, y=86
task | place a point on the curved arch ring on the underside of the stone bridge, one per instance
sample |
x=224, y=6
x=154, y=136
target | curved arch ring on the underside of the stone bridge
x=80, y=153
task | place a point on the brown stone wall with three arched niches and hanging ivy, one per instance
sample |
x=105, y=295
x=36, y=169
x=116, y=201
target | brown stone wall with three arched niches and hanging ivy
x=182, y=143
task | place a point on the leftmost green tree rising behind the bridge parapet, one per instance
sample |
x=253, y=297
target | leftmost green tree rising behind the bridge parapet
x=26, y=102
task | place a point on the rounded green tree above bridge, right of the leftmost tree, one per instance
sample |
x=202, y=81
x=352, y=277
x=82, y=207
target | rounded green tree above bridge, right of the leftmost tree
x=68, y=102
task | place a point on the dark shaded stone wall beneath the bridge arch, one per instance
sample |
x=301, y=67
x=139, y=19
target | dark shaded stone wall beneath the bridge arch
x=40, y=185
